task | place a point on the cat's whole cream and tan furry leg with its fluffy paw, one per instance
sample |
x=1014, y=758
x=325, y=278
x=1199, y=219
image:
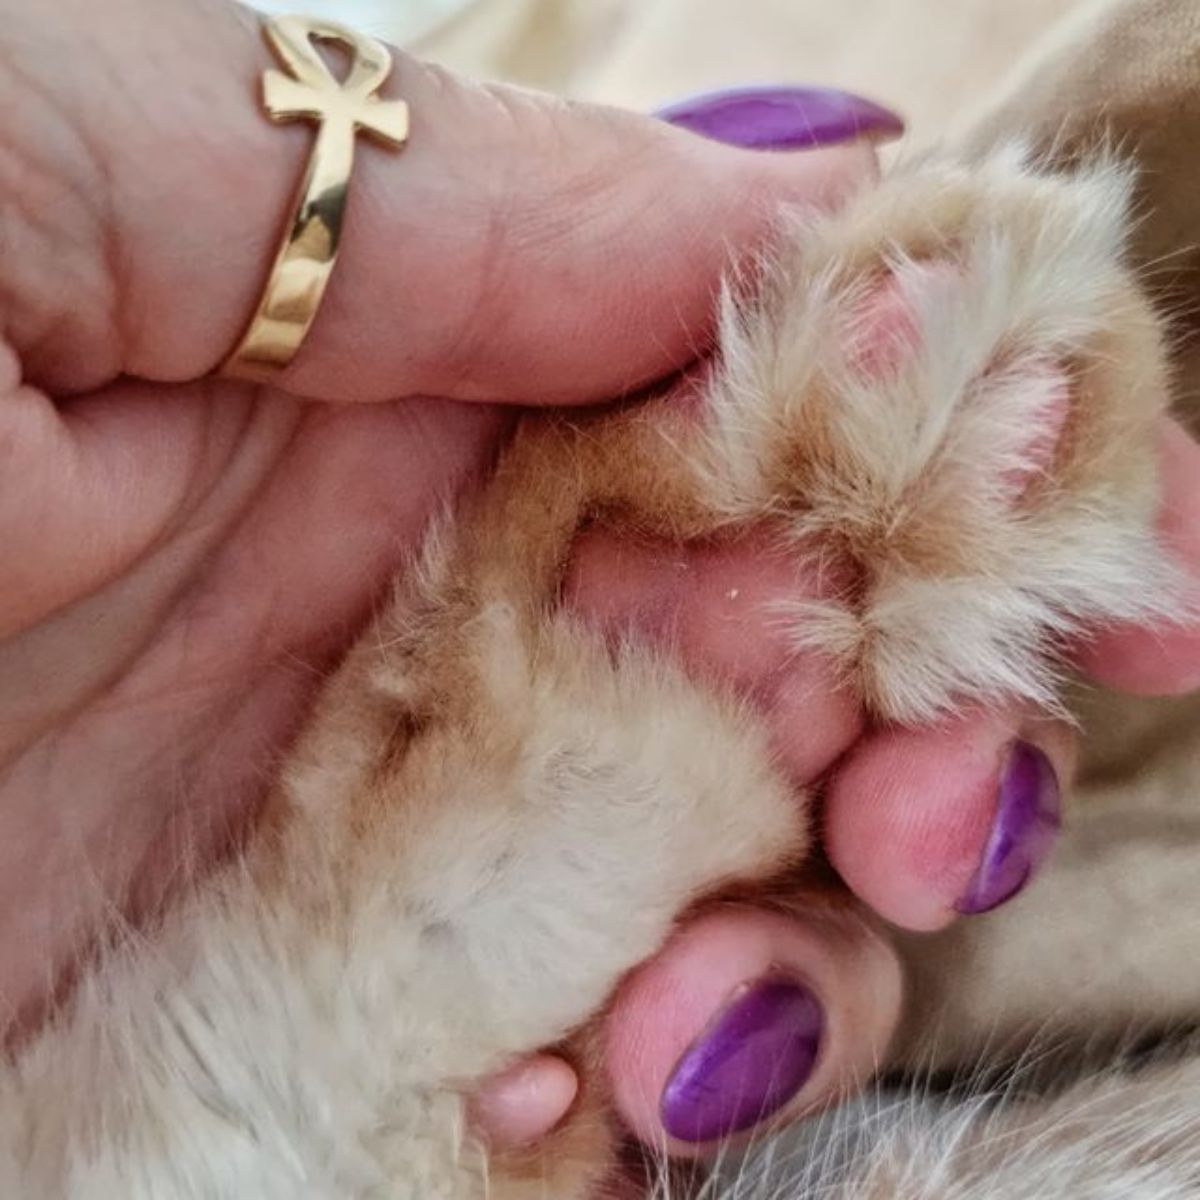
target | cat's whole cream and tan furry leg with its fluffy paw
x=489, y=794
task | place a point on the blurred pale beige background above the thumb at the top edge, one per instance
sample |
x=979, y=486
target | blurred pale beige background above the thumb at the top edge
x=926, y=58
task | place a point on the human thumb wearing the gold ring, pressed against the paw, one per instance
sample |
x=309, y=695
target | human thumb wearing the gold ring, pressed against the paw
x=519, y=248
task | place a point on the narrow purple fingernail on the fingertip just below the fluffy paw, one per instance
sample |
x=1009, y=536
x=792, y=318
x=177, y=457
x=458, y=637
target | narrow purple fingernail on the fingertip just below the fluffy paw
x=1028, y=820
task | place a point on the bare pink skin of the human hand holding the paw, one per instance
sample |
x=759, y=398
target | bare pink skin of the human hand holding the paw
x=185, y=556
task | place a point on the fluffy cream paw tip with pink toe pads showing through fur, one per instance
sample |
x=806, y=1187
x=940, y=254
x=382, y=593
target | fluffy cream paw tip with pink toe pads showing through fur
x=953, y=389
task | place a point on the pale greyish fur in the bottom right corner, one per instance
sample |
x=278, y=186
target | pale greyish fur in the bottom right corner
x=1118, y=1135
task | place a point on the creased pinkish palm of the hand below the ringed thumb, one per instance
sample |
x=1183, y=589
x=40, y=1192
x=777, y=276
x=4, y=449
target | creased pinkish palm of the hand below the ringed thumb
x=188, y=561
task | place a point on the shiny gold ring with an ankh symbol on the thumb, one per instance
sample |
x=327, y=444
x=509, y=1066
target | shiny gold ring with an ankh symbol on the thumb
x=341, y=109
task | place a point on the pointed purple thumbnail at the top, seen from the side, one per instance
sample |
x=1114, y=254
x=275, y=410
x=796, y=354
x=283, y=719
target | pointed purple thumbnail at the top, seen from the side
x=783, y=118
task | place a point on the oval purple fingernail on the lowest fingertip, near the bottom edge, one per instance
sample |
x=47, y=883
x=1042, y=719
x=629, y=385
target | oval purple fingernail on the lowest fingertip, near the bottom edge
x=748, y=1065
